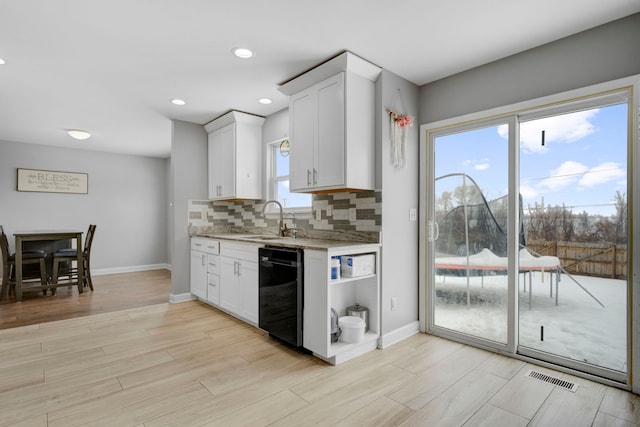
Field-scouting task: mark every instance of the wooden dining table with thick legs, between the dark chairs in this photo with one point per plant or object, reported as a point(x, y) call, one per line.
point(41, 235)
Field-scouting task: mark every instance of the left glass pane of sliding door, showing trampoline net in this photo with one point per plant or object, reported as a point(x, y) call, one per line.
point(468, 234)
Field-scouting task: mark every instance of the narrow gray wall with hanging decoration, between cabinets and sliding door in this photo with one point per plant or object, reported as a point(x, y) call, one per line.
point(400, 193)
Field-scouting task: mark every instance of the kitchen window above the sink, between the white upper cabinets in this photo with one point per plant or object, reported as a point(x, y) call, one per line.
point(278, 178)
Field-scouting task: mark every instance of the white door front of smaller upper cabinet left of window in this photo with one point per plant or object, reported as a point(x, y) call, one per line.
point(222, 163)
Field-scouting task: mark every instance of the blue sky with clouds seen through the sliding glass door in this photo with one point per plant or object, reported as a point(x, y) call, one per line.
point(582, 163)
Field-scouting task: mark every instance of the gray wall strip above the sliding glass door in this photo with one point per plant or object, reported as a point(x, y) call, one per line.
point(601, 54)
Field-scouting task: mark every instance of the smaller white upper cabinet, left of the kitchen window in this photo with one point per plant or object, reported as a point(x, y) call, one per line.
point(235, 156)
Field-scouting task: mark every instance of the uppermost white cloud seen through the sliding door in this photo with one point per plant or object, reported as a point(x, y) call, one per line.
point(565, 128)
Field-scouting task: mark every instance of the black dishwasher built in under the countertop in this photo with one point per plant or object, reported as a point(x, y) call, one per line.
point(281, 293)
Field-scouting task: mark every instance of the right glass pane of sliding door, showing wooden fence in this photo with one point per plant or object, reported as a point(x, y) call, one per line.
point(573, 273)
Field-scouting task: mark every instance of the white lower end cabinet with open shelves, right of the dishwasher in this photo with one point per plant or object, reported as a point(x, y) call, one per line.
point(321, 294)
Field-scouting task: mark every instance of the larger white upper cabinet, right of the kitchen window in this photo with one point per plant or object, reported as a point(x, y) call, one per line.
point(331, 110)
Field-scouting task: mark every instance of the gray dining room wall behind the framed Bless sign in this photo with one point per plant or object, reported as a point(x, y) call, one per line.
point(126, 199)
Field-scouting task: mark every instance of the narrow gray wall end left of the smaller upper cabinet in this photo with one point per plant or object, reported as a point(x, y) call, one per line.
point(188, 181)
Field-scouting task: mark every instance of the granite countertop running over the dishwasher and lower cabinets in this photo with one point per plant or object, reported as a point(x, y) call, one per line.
point(289, 242)
